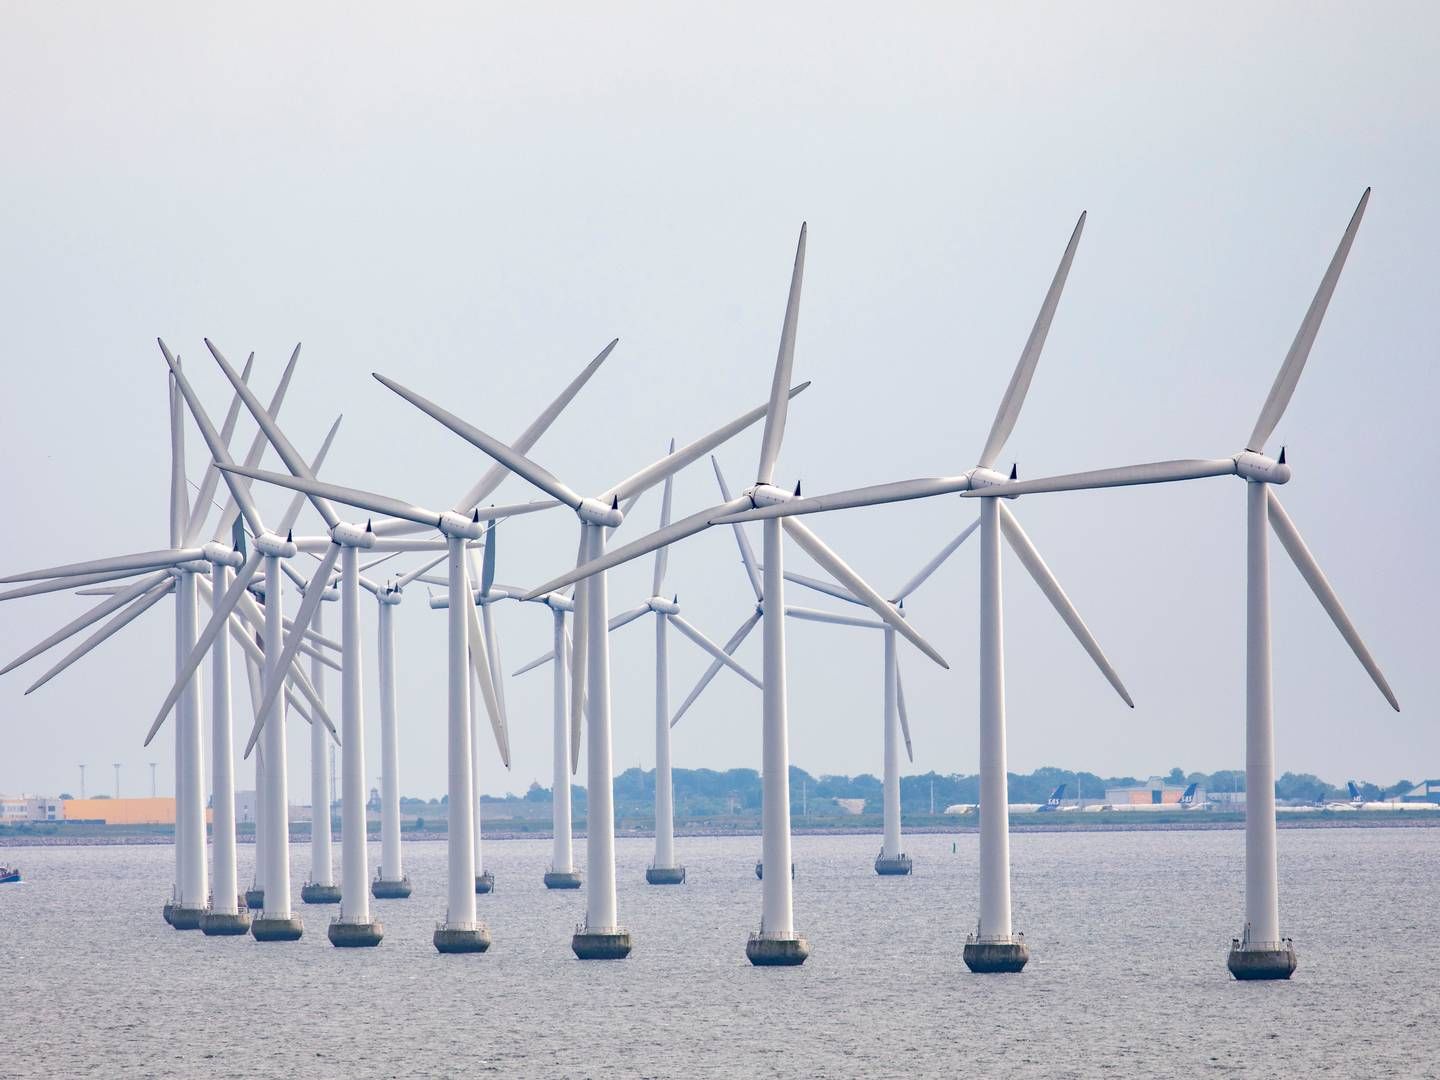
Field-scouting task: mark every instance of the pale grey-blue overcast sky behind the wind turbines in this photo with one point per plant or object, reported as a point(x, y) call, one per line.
point(474, 199)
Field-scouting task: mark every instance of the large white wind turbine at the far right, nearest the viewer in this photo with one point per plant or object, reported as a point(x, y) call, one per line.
point(1261, 953)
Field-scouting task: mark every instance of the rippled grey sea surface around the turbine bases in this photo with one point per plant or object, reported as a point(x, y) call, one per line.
point(1128, 935)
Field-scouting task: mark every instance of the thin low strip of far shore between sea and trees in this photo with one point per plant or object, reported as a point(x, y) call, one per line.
point(1197, 822)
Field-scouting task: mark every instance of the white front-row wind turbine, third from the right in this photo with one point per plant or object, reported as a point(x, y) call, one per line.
point(777, 944)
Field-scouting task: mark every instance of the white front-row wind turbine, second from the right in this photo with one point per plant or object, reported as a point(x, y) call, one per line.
point(994, 947)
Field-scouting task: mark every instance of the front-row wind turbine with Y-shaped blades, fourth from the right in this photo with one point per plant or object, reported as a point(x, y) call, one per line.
point(600, 937)
